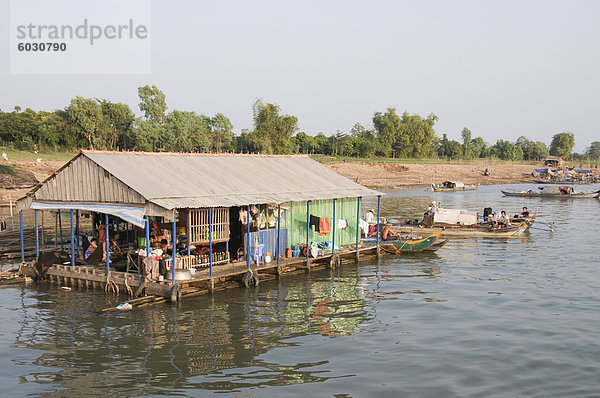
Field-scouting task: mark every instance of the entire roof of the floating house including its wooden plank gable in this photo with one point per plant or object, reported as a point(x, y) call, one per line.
point(161, 182)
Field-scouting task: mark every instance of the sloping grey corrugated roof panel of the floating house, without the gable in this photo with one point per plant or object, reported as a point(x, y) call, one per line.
point(182, 180)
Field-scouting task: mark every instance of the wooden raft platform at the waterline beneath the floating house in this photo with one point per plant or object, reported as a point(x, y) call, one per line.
point(224, 277)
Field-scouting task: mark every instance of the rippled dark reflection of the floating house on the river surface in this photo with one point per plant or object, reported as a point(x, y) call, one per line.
point(167, 346)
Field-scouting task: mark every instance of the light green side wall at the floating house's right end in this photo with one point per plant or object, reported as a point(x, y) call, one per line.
point(345, 209)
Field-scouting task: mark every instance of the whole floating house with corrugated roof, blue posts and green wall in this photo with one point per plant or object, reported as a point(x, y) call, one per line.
point(222, 214)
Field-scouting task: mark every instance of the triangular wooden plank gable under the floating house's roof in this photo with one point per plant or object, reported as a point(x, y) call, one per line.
point(85, 181)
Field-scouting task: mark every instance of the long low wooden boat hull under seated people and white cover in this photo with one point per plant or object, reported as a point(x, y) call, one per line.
point(481, 229)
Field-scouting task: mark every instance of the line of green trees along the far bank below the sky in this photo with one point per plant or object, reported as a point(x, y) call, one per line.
point(101, 124)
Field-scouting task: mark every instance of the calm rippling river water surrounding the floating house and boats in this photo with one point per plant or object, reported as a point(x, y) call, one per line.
point(482, 317)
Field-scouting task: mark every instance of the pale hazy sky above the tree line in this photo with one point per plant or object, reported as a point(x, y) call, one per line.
point(503, 69)
